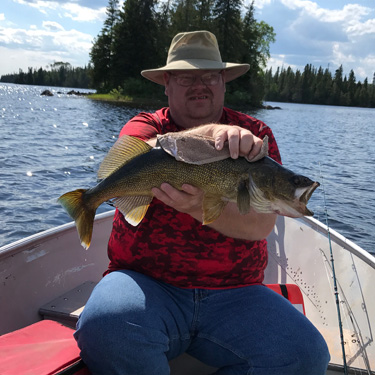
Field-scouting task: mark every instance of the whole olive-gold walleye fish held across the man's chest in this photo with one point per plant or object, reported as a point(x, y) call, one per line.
point(132, 168)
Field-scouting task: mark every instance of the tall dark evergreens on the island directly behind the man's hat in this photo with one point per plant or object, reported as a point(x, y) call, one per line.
point(137, 37)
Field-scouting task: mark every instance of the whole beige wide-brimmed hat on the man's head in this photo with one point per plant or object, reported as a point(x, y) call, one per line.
point(195, 50)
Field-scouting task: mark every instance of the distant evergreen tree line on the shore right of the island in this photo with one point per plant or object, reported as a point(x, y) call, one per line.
point(318, 86)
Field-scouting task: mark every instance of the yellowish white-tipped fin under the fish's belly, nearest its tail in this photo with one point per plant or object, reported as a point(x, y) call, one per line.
point(133, 208)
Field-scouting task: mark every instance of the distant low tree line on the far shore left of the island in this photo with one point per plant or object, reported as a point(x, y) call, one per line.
point(60, 74)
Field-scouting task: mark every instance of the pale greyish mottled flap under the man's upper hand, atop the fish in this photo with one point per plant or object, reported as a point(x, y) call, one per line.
point(199, 149)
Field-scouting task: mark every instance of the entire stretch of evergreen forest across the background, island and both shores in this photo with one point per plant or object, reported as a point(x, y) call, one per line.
point(137, 36)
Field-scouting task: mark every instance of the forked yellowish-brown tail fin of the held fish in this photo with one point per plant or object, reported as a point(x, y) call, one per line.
point(81, 212)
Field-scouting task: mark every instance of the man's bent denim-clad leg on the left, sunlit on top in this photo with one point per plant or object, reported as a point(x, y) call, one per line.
point(117, 334)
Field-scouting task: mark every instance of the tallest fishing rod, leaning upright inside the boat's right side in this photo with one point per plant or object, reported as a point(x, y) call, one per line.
point(334, 277)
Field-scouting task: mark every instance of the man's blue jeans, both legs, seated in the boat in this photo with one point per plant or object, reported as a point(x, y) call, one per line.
point(133, 325)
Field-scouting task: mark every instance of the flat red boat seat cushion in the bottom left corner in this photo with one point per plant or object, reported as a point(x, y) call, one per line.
point(43, 348)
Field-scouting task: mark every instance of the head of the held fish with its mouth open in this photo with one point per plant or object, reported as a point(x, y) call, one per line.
point(282, 191)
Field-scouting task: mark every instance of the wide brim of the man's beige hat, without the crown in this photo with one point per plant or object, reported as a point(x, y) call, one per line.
point(232, 70)
